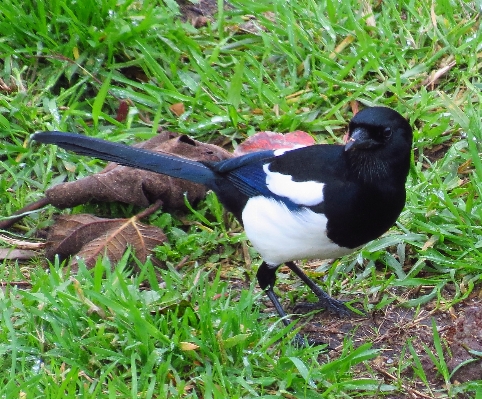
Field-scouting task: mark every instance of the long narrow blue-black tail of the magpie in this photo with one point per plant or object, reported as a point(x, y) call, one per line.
point(170, 165)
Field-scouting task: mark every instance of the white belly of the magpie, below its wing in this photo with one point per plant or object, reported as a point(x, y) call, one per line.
point(280, 235)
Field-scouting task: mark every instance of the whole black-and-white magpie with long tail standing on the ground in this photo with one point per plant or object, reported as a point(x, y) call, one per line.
point(322, 201)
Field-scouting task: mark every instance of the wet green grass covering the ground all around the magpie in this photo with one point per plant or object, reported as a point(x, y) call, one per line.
point(67, 66)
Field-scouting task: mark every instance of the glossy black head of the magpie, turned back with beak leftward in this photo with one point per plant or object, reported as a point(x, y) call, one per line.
point(379, 142)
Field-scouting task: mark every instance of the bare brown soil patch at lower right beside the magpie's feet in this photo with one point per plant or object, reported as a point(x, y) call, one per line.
point(395, 328)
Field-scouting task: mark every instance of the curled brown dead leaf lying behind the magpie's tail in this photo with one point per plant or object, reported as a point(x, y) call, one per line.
point(139, 187)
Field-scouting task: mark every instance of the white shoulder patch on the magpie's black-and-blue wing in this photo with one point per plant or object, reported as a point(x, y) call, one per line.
point(306, 193)
